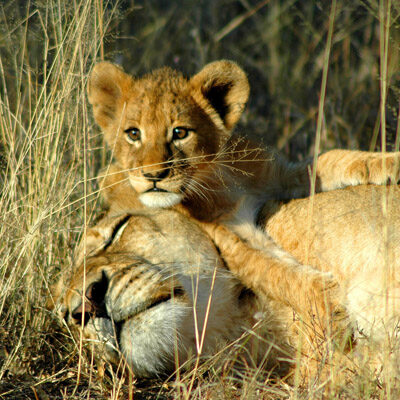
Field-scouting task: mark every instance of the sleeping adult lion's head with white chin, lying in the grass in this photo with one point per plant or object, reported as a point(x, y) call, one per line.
point(154, 291)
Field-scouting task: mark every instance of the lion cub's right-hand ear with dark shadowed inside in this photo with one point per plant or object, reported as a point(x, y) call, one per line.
point(225, 87)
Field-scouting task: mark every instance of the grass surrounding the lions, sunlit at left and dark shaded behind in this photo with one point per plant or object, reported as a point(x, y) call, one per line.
point(50, 150)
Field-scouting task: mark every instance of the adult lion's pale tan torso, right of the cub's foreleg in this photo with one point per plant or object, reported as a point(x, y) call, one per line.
point(356, 237)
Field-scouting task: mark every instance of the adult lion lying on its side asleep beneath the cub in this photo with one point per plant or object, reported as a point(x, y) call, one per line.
point(150, 278)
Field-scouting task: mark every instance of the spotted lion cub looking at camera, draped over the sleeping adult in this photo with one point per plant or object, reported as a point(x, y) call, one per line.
point(174, 147)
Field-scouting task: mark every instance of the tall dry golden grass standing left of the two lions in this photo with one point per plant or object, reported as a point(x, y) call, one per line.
point(46, 53)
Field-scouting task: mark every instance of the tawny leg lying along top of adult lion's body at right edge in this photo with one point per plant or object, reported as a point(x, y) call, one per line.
point(340, 168)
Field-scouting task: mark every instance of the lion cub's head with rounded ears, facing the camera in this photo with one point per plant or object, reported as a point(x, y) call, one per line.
point(166, 129)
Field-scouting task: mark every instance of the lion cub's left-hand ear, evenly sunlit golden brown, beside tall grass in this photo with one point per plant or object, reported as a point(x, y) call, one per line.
point(106, 88)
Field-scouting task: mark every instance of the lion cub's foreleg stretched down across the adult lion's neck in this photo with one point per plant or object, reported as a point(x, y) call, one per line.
point(273, 273)
